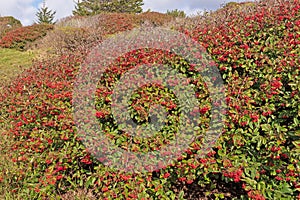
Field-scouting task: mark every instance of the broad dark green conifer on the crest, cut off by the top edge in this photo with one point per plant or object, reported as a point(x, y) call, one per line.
point(94, 7)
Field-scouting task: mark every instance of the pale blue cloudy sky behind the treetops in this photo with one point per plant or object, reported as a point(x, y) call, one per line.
point(25, 10)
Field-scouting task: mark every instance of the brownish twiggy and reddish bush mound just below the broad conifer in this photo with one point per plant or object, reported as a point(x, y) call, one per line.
point(79, 32)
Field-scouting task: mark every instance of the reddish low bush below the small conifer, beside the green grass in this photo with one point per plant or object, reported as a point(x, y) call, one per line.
point(18, 38)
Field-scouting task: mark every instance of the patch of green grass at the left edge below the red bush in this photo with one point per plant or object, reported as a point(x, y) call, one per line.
point(13, 62)
